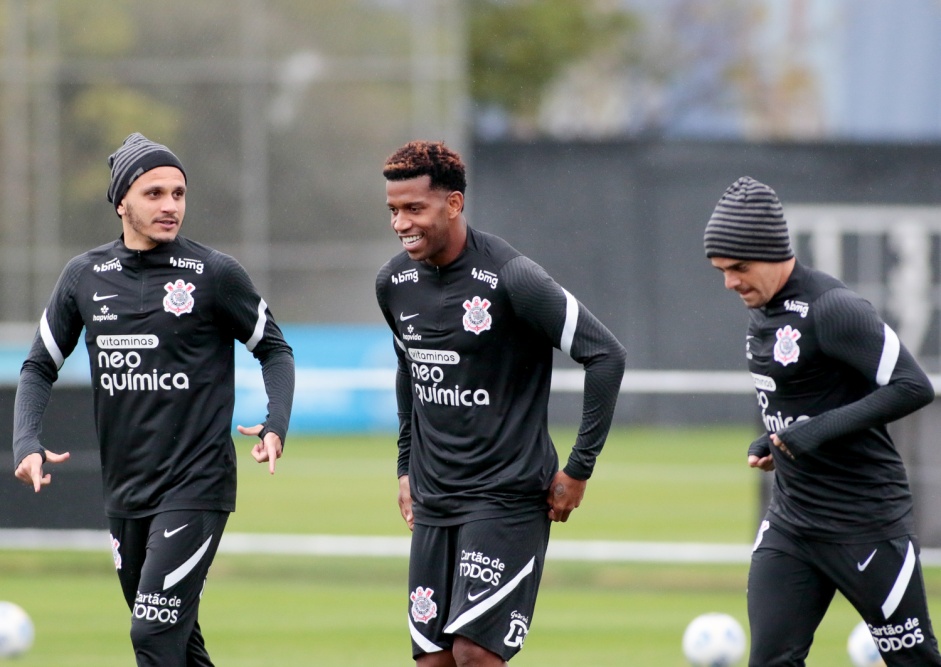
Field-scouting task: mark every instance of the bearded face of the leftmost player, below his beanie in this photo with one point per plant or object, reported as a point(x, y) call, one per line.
point(153, 208)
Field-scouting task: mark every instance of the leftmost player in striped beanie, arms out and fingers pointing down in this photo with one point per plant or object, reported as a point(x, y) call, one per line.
point(161, 315)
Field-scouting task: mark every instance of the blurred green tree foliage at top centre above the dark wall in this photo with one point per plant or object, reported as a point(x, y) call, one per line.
point(517, 47)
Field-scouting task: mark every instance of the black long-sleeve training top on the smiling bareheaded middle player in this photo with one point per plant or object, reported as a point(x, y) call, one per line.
point(474, 341)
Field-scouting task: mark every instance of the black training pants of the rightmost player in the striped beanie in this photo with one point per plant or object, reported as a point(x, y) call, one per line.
point(792, 581)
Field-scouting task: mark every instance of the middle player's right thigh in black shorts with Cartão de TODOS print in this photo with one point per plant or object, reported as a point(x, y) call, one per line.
point(499, 566)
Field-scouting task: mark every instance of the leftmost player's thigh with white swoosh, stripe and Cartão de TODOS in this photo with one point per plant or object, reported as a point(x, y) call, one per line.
point(181, 546)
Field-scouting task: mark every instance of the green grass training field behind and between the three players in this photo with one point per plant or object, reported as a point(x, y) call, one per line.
point(650, 485)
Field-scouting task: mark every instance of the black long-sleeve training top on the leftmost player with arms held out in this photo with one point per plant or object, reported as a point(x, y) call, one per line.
point(160, 327)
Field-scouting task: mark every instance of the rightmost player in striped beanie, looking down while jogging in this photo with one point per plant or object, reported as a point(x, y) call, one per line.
point(829, 374)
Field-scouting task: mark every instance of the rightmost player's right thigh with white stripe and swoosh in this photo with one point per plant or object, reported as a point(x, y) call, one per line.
point(883, 581)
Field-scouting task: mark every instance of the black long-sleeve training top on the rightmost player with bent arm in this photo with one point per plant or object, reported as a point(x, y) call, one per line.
point(830, 374)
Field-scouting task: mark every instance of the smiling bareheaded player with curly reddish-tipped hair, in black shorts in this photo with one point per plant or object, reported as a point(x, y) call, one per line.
point(475, 324)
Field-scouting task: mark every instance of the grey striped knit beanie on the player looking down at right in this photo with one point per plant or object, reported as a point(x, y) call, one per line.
point(748, 224)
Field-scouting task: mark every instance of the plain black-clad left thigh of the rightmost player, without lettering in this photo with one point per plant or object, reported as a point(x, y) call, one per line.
point(787, 598)
